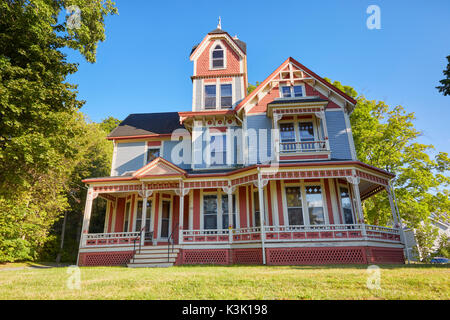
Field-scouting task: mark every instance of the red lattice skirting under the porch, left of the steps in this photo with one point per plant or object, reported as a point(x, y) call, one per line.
point(105, 258)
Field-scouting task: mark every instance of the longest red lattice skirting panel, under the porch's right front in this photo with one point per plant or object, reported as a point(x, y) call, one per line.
point(308, 256)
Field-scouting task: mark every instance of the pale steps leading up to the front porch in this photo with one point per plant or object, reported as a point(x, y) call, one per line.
point(154, 256)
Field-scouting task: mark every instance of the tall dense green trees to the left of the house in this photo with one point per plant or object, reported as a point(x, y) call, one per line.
point(40, 125)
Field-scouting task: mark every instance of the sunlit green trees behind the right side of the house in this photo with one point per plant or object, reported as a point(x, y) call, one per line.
point(386, 138)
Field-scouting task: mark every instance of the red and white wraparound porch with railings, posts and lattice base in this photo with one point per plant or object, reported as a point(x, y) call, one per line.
point(250, 218)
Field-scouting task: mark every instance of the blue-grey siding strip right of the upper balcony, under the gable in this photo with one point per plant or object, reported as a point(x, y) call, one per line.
point(338, 136)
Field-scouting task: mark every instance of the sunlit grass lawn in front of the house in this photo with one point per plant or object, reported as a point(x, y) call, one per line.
point(228, 282)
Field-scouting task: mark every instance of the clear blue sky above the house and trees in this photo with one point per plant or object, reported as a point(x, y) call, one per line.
point(143, 66)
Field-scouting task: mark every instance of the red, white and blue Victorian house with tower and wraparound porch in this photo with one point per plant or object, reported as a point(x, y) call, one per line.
point(269, 177)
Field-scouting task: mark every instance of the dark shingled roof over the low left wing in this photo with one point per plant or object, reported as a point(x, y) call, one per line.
point(139, 124)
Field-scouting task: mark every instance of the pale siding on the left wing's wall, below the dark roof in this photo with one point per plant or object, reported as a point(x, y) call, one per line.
point(129, 157)
